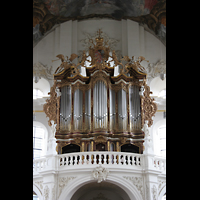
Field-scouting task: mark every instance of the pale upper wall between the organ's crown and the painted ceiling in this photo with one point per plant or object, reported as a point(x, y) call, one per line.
point(65, 39)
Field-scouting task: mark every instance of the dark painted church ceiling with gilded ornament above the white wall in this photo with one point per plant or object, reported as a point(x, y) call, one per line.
point(47, 13)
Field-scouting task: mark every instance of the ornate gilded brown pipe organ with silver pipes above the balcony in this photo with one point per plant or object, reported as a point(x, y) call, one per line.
point(100, 111)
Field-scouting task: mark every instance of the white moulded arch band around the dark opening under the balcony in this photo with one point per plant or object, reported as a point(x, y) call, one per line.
point(77, 183)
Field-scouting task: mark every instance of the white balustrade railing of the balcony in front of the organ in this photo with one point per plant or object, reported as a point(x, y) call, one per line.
point(94, 158)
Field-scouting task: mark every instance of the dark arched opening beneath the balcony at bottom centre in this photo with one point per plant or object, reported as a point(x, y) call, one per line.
point(97, 191)
